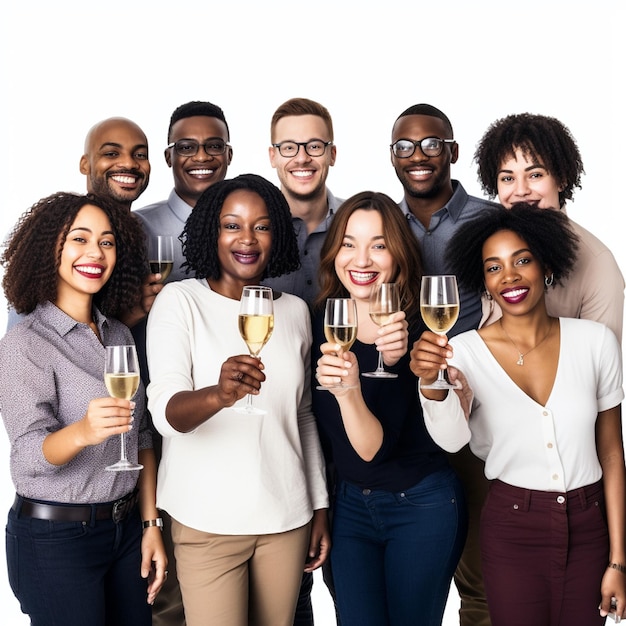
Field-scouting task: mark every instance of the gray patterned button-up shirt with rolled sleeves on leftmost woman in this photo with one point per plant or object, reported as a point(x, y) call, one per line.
point(51, 366)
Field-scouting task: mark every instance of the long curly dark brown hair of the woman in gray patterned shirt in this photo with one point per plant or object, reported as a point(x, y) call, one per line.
point(37, 235)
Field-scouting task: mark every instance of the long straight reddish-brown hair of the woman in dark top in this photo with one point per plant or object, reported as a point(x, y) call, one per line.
point(399, 239)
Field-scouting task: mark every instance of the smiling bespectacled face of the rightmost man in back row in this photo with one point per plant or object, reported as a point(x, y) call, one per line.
point(420, 175)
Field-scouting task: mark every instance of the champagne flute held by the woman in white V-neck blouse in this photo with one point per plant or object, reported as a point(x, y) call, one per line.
point(439, 304)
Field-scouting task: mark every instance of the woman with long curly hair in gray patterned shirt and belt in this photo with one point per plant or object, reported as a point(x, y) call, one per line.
point(76, 550)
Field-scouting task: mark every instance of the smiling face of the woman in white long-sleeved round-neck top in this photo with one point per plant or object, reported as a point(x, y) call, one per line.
point(244, 243)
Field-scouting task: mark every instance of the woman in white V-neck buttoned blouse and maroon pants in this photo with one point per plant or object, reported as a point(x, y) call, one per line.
point(545, 417)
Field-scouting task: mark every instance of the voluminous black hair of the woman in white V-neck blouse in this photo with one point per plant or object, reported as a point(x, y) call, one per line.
point(547, 233)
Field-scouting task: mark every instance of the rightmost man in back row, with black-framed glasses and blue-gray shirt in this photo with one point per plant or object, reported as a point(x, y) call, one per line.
point(422, 152)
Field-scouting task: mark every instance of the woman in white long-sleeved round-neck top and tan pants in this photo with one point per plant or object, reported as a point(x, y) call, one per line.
point(246, 493)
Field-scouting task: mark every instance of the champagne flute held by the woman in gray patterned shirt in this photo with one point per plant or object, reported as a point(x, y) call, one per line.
point(121, 377)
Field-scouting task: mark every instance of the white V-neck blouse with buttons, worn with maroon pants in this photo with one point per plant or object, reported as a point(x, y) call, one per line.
point(547, 448)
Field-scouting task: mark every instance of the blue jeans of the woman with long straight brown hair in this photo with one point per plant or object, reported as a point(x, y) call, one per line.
point(394, 554)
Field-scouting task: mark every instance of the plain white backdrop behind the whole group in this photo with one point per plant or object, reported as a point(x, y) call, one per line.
point(66, 65)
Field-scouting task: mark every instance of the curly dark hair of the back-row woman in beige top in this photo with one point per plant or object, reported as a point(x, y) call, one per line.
point(542, 138)
